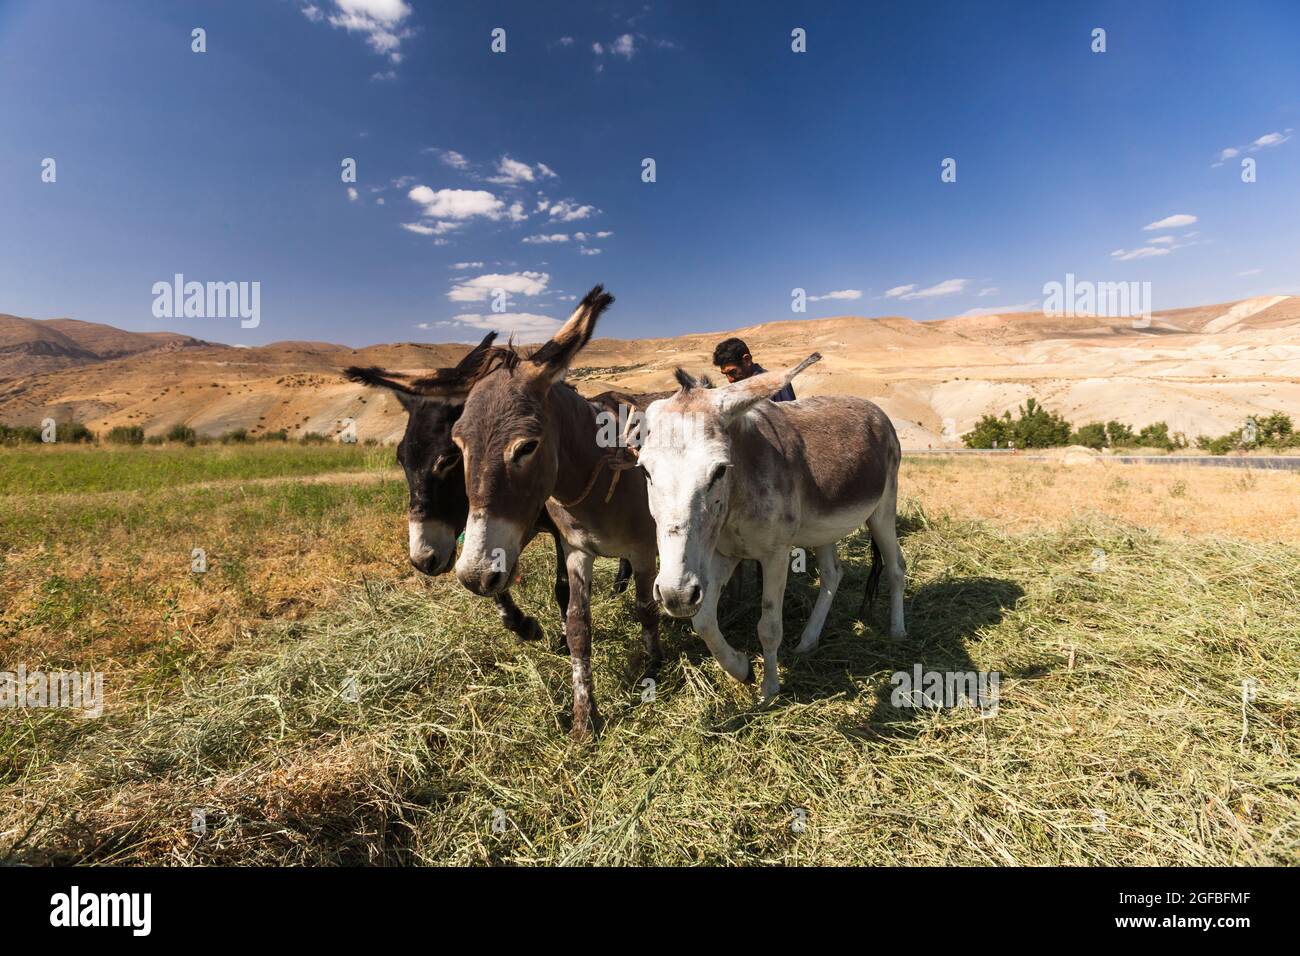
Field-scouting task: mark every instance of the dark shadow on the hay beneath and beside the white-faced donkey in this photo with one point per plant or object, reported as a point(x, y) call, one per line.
point(943, 617)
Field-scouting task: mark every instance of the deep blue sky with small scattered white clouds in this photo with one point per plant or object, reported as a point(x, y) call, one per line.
point(774, 170)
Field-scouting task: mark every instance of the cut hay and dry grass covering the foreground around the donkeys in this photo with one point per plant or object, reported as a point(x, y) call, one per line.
point(385, 719)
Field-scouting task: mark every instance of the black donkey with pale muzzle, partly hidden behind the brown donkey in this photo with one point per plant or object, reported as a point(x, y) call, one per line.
point(437, 485)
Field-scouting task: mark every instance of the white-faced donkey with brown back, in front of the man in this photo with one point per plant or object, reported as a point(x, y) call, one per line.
point(734, 475)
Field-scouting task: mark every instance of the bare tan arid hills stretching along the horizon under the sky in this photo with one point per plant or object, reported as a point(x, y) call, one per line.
point(1202, 370)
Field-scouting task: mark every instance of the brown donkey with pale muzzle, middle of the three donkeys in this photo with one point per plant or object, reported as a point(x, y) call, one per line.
point(532, 447)
